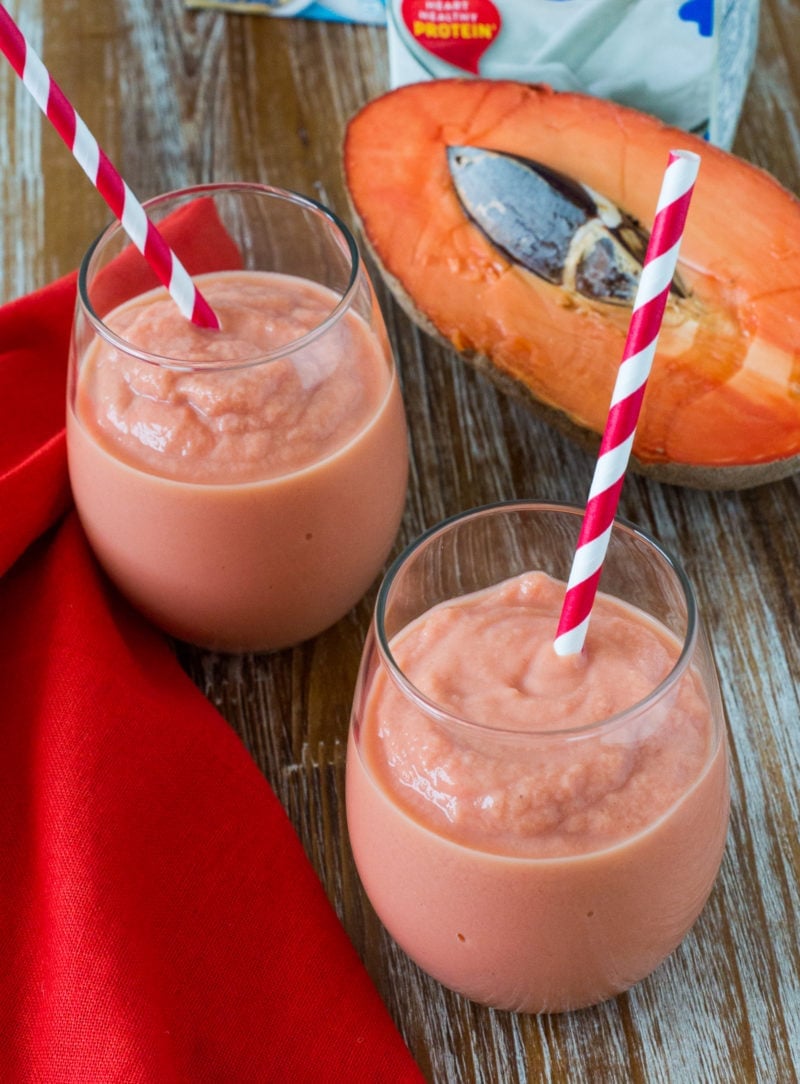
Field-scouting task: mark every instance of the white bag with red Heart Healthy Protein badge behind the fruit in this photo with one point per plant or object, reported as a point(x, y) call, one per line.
point(685, 61)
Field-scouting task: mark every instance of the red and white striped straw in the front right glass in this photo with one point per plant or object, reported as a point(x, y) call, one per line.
point(615, 449)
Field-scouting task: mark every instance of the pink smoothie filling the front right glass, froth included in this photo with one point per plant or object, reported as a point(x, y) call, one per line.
point(554, 864)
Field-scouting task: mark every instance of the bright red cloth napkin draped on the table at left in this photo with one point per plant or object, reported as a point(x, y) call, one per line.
point(160, 921)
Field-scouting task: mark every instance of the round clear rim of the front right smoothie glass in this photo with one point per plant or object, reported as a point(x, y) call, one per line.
point(431, 708)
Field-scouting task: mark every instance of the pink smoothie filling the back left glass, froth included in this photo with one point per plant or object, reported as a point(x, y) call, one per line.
point(248, 507)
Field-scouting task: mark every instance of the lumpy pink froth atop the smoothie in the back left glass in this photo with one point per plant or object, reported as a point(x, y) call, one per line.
point(215, 424)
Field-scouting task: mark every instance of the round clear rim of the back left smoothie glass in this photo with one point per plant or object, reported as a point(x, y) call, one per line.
point(163, 362)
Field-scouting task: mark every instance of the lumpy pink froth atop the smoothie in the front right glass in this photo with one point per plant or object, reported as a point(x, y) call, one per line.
point(489, 660)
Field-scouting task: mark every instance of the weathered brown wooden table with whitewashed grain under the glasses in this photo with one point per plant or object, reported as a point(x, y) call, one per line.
point(178, 98)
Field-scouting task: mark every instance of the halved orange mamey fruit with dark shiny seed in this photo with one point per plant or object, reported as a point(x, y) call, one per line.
point(722, 406)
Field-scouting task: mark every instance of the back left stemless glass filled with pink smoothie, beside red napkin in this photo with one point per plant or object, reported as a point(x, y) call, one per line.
point(241, 487)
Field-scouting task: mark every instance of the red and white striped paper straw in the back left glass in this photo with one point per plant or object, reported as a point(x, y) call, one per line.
point(54, 104)
